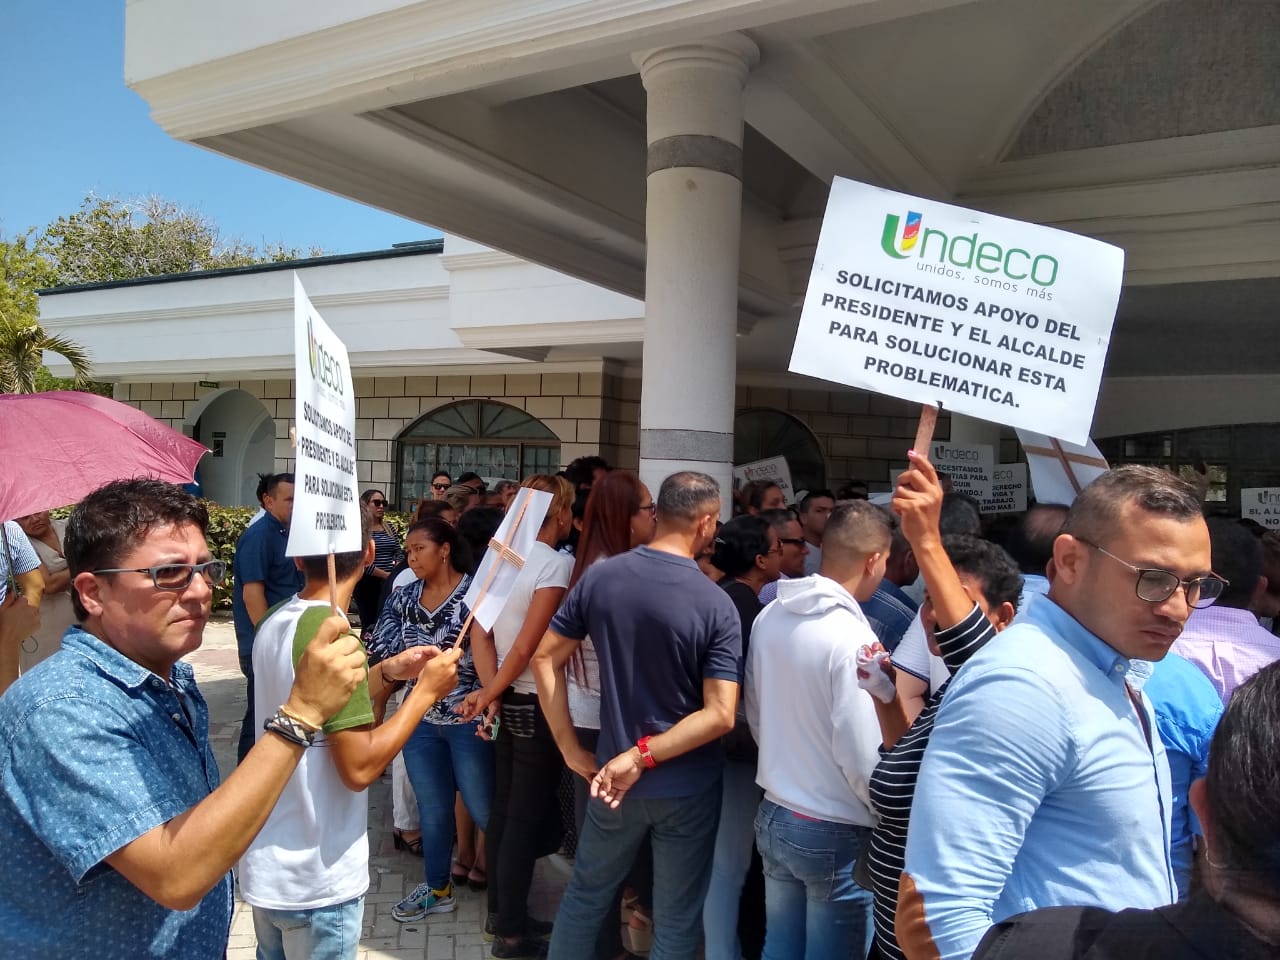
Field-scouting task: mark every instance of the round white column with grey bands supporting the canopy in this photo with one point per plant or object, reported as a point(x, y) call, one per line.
point(693, 232)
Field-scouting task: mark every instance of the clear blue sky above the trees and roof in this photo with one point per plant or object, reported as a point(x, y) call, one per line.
point(72, 127)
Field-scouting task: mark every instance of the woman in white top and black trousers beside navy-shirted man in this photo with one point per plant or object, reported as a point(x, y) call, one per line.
point(524, 824)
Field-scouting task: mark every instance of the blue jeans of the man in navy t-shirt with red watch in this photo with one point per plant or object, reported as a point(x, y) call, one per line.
point(683, 833)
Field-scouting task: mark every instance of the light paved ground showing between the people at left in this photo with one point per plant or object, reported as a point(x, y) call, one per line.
point(455, 936)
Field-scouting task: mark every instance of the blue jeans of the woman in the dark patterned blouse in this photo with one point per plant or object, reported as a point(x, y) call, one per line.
point(444, 758)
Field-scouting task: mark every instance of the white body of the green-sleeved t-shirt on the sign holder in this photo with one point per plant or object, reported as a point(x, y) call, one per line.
point(314, 849)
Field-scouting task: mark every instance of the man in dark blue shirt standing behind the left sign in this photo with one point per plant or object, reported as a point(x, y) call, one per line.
point(263, 578)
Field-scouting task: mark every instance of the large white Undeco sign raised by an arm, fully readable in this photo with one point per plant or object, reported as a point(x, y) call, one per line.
point(988, 317)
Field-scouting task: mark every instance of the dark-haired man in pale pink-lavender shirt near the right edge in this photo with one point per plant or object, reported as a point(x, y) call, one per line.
point(1227, 642)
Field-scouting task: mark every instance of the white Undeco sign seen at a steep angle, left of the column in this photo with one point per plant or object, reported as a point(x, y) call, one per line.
point(326, 504)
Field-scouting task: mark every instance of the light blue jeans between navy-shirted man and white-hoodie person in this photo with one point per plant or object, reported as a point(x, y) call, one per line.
point(734, 844)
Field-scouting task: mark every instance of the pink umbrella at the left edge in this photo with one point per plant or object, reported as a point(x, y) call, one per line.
point(58, 447)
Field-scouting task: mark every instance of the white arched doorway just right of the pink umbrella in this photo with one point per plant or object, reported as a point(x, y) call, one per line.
point(241, 438)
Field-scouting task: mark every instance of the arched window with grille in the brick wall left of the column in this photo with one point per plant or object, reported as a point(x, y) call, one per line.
point(492, 440)
